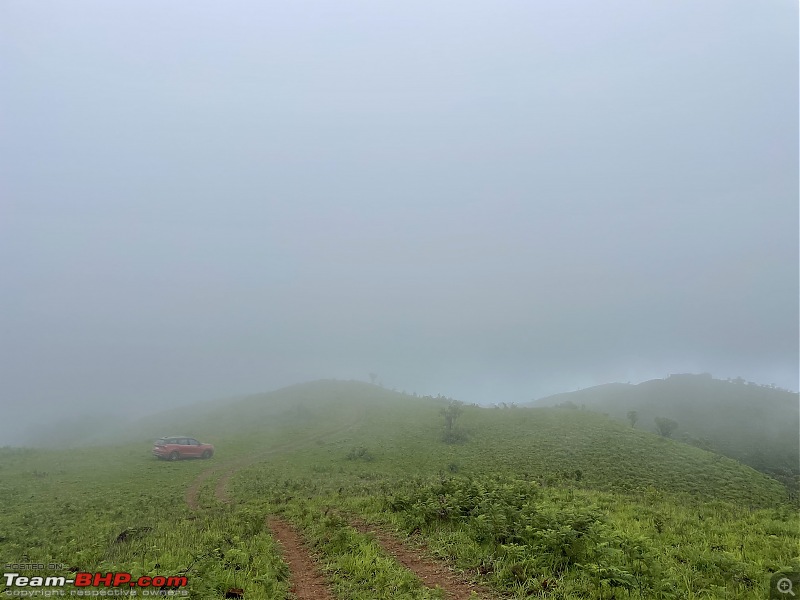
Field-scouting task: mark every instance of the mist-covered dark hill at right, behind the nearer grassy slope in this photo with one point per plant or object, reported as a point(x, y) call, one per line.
point(754, 424)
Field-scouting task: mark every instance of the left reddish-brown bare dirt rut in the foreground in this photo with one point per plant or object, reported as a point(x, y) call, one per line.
point(305, 579)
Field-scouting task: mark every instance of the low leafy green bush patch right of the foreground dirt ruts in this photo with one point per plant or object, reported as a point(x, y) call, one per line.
point(527, 535)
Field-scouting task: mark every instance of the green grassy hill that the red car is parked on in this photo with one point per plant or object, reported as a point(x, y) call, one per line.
point(534, 502)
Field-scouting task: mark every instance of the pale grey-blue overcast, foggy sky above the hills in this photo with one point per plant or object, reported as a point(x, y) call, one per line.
point(494, 201)
